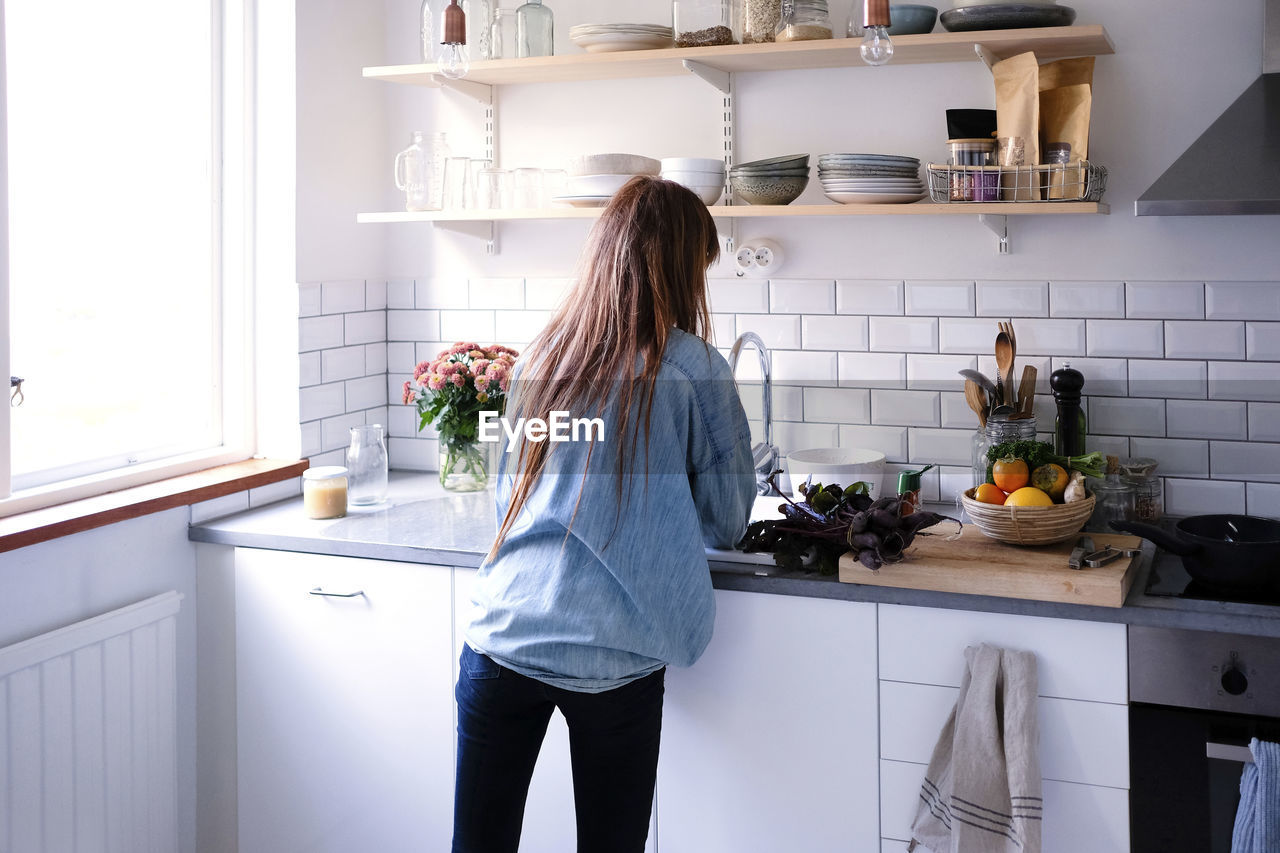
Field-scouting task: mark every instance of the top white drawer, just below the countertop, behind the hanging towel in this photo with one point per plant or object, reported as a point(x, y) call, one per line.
point(1077, 660)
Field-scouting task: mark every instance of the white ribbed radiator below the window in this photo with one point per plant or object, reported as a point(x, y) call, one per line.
point(89, 736)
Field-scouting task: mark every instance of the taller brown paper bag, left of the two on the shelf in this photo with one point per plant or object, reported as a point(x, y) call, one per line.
point(1018, 120)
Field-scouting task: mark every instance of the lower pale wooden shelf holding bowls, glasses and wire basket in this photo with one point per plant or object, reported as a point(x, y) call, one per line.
point(755, 212)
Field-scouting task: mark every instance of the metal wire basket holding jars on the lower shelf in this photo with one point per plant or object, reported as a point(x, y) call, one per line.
point(1078, 181)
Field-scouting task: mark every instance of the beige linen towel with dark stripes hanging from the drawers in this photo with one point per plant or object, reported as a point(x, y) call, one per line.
point(982, 788)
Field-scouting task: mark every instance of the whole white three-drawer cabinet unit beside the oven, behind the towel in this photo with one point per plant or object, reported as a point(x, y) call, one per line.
point(1084, 719)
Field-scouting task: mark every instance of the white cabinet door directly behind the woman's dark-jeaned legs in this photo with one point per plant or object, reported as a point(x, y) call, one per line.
point(550, 823)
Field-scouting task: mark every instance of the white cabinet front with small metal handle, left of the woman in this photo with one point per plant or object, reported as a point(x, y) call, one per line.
point(345, 708)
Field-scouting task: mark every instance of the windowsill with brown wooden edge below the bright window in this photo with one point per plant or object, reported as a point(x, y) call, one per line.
point(76, 517)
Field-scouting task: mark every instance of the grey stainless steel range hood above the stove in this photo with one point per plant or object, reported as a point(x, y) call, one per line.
point(1235, 167)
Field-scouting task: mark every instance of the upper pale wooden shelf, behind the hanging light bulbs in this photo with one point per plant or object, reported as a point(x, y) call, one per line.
point(1049, 44)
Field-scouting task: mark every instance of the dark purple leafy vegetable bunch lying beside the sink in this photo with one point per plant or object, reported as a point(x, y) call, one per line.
point(834, 521)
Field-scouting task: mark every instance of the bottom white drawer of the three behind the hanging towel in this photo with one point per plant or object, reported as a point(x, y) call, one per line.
point(1077, 818)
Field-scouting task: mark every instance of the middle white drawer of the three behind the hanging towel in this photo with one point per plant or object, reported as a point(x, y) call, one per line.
point(1081, 742)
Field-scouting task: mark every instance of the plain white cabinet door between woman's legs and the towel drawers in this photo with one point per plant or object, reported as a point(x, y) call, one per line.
point(770, 741)
